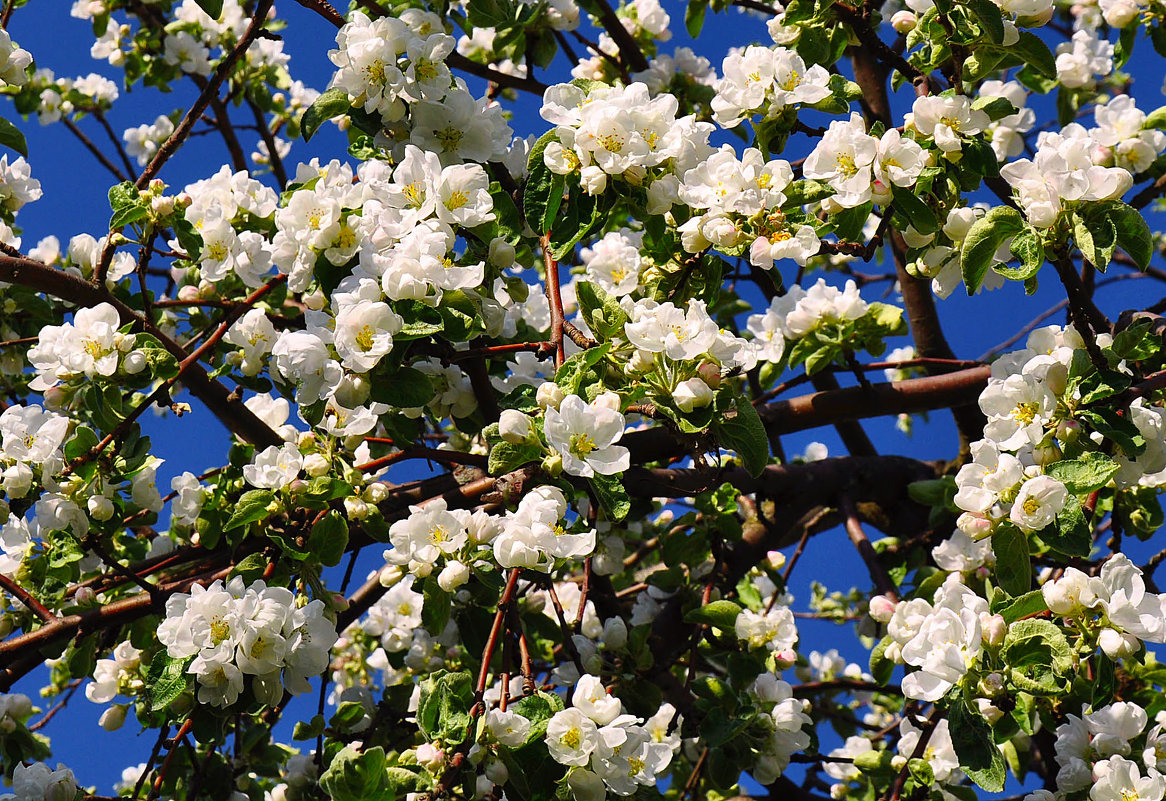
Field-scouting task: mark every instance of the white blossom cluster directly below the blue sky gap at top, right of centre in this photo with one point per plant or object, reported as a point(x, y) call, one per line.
point(767, 80)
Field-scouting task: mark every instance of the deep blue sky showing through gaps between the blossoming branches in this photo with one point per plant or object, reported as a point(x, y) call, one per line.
point(75, 202)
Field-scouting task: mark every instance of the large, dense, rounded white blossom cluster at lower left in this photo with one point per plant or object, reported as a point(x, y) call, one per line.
point(236, 631)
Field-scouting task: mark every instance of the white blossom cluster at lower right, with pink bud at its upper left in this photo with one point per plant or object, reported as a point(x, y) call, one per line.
point(944, 640)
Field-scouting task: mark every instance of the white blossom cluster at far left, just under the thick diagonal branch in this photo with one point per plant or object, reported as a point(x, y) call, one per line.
point(90, 348)
